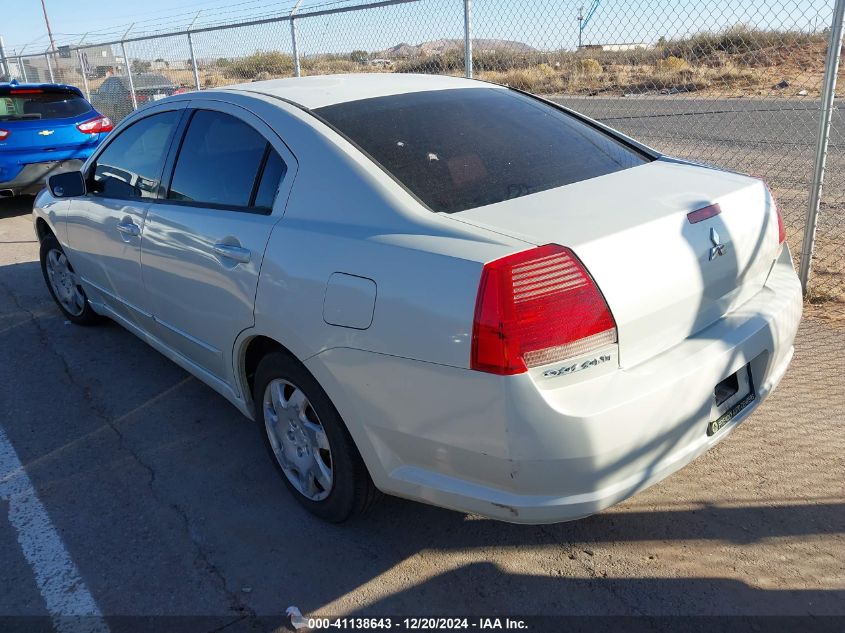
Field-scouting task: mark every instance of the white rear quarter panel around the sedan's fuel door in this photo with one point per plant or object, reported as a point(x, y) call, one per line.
point(344, 214)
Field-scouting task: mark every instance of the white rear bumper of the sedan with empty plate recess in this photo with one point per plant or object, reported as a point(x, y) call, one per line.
point(506, 448)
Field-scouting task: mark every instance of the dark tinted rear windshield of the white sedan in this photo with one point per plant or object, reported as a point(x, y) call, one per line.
point(464, 148)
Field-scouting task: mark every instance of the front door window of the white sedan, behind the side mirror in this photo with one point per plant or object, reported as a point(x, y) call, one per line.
point(131, 164)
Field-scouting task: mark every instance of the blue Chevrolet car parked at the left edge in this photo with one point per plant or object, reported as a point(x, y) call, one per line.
point(44, 129)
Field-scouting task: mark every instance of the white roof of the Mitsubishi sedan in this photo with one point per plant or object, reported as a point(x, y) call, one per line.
point(323, 90)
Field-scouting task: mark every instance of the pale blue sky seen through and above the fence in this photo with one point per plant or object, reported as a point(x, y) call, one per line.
point(544, 24)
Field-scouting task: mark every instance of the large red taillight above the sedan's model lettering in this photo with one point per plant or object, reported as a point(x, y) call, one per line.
point(534, 308)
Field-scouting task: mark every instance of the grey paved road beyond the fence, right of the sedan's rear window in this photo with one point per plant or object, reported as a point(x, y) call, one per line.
point(773, 139)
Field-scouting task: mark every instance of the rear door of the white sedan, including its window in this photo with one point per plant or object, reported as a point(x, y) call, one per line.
point(204, 242)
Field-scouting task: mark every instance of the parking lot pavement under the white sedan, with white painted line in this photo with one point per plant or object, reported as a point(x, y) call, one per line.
point(142, 490)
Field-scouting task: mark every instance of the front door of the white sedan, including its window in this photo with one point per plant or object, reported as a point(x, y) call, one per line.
point(105, 227)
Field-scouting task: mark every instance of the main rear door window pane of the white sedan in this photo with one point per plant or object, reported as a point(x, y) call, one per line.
point(218, 162)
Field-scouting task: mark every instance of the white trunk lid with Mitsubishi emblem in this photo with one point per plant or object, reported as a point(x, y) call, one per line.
point(664, 277)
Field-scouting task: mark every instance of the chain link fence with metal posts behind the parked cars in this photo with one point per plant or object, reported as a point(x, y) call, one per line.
point(736, 84)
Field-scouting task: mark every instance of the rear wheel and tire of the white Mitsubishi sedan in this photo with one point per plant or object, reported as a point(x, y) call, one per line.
point(292, 423)
